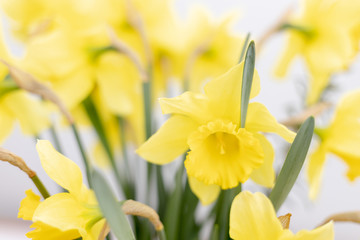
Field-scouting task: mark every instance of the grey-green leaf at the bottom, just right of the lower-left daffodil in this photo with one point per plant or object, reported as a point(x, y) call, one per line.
point(110, 208)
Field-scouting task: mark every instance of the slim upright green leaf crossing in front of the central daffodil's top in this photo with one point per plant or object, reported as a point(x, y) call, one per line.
point(248, 74)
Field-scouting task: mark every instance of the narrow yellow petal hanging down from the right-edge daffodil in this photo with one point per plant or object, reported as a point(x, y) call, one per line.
point(315, 171)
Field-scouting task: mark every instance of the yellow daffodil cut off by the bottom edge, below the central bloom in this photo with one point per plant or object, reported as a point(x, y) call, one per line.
point(252, 216)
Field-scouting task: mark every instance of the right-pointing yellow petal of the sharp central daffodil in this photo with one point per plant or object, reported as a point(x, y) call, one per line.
point(259, 119)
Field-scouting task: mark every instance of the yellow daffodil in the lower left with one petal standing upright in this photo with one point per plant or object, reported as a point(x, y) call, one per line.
point(67, 215)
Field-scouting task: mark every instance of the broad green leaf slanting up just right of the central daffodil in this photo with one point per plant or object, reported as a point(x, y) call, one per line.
point(293, 163)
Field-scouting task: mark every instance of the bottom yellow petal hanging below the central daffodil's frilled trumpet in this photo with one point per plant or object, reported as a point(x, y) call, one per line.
point(206, 193)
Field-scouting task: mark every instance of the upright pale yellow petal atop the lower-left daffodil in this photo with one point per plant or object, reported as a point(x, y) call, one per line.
point(61, 169)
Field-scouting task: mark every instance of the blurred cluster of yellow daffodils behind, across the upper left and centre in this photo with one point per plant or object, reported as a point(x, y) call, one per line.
point(68, 45)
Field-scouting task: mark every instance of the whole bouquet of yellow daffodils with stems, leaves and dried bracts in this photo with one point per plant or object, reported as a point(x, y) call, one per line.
point(110, 66)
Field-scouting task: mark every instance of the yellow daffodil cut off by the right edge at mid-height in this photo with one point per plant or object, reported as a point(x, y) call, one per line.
point(340, 138)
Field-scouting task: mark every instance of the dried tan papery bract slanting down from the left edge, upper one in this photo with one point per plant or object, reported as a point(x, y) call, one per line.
point(27, 82)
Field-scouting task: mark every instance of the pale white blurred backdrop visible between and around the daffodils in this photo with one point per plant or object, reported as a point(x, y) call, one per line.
point(282, 98)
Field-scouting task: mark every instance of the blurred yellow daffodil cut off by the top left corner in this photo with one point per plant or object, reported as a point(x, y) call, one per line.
point(33, 18)
